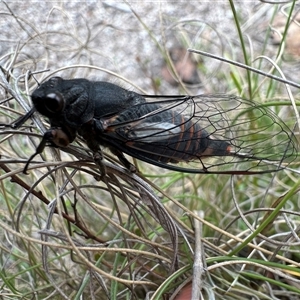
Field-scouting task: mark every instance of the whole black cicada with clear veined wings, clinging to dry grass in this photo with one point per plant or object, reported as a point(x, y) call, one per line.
point(218, 134)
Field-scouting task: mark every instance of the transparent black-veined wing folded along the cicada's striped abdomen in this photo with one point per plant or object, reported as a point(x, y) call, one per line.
point(203, 134)
